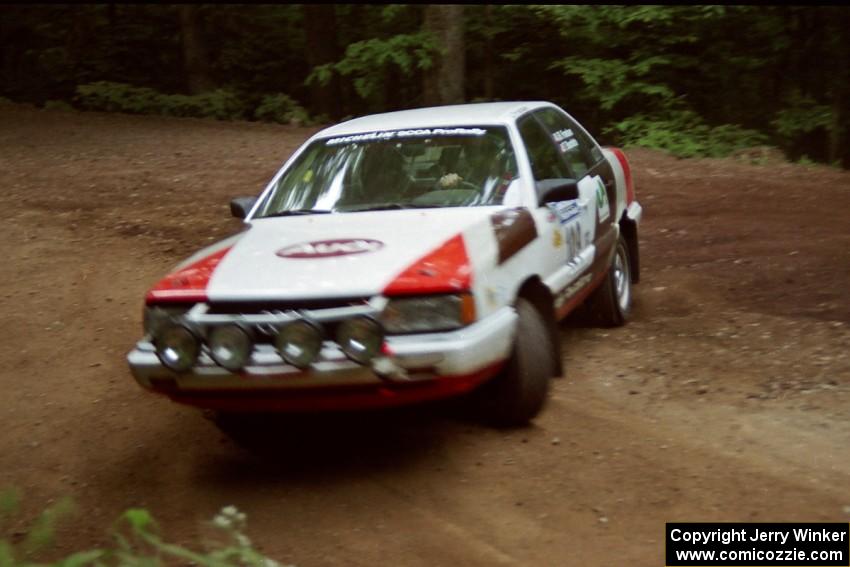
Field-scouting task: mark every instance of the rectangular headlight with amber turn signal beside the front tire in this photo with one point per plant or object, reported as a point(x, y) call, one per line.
point(427, 314)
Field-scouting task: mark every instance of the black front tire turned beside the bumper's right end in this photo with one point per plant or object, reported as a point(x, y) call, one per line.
point(518, 393)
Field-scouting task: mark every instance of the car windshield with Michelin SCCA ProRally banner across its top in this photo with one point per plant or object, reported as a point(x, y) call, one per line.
point(431, 167)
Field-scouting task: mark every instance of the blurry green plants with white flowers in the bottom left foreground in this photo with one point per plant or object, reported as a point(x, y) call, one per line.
point(137, 542)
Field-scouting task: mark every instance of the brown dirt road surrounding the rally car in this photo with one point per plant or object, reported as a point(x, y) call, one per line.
point(725, 399)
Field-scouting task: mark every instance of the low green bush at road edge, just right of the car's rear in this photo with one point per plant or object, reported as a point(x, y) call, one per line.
point(684, 134)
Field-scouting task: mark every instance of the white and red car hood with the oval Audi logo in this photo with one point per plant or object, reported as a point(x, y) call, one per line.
point(332, 255)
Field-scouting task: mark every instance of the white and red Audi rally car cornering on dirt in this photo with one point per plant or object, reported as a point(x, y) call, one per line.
point(399, 258)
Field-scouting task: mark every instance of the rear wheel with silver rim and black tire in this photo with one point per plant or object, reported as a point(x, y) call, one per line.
point(611, 303)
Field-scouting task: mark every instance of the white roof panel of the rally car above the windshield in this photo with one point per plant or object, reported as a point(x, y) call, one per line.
point(478, 114)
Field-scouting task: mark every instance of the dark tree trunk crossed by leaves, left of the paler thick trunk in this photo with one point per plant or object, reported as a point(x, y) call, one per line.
point(320, 31)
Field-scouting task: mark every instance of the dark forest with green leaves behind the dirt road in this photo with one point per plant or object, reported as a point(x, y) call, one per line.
point(692, 80)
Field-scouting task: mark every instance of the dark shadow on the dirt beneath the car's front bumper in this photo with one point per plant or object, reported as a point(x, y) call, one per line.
point(338, 446)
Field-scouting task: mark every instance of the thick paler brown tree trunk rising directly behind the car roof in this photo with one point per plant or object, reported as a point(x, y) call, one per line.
point(444, 81)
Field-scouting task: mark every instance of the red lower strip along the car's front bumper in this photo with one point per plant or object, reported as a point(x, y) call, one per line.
point(337, 398)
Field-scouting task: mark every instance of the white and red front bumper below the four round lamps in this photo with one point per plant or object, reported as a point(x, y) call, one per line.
point(412, 368)
